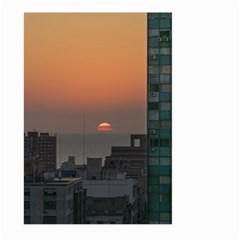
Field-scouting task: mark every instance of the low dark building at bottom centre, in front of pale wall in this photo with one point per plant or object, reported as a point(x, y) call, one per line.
point(108, 210)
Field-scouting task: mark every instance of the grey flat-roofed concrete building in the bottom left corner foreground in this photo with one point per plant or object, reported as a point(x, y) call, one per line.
point(55, 201)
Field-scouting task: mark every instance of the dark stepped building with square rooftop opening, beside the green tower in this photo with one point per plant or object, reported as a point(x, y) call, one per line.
point(131, 161)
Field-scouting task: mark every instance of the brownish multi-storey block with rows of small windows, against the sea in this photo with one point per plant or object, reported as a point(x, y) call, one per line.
point(39, 154)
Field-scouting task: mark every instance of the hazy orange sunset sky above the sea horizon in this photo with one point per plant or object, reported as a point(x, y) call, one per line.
point(92, 62)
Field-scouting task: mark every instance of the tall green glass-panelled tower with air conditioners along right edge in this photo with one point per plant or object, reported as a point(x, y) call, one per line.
point(159, 118)
